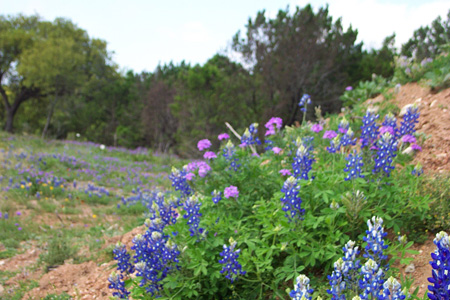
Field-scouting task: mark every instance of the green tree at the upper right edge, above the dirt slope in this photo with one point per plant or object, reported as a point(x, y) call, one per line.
point(426, 41)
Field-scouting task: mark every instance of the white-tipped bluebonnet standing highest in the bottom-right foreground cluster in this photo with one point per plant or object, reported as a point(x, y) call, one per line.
point(375, 240)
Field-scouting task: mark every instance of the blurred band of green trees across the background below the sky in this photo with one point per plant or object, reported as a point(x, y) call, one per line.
point(57, 81)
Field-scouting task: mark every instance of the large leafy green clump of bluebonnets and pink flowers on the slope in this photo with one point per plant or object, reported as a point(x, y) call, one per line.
point(247, 220)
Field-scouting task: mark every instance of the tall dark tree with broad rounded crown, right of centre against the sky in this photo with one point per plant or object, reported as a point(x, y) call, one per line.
point(300, 53)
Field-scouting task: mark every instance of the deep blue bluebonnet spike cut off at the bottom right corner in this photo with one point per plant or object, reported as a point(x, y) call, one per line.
point(440, 280)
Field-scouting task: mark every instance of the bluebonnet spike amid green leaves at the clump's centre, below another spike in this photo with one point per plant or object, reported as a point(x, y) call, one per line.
point(291, 200)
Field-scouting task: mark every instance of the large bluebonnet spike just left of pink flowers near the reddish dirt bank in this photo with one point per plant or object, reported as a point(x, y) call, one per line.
point(387, 146)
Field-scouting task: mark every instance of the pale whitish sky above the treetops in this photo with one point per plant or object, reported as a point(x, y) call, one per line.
point(144, 33)
